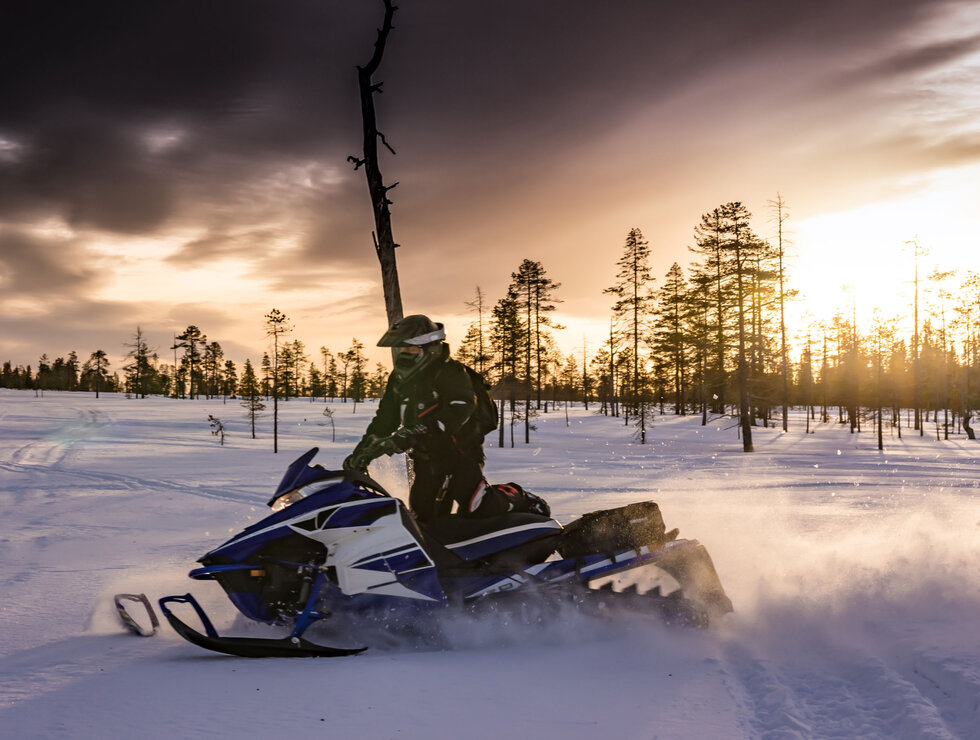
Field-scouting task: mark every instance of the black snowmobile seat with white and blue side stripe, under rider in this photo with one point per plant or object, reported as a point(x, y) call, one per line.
point(515, 536)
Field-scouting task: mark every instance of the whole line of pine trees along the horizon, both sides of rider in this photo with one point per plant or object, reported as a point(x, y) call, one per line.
point(710, 339)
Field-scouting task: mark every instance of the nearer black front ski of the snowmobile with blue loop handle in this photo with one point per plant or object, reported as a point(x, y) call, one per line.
point(245, 647)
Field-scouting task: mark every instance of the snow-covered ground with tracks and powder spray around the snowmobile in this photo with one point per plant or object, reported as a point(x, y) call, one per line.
point(855, 576)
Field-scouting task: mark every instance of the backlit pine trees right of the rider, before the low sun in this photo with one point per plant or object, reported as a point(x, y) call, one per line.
point(713, 340)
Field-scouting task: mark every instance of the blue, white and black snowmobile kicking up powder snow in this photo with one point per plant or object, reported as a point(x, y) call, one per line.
point(337, 544)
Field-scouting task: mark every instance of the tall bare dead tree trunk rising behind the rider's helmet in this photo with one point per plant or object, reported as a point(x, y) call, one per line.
point(384, 241)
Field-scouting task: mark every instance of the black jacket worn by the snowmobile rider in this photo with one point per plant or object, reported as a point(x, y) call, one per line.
point(437, 409)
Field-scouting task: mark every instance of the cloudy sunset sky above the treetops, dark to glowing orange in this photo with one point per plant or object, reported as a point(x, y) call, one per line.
point(173, 163)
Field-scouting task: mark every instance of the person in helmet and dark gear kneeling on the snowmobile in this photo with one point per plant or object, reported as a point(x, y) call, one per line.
point(437, 410)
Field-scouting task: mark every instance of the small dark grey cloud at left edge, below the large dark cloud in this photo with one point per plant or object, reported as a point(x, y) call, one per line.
point(42, 268)
